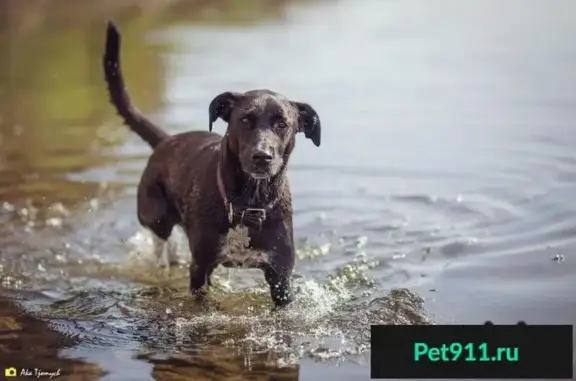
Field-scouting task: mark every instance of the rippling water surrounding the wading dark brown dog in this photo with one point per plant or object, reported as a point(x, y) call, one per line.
point(443, 190)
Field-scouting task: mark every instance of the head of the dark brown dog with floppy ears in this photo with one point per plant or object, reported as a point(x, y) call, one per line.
point(262, 127)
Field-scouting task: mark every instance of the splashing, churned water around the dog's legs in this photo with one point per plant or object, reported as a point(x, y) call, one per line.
point(138, 304)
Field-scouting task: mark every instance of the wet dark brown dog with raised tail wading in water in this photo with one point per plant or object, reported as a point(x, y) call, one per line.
point(221, 189)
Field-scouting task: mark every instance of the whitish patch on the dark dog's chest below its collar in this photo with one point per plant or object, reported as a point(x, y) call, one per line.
point(236, 251)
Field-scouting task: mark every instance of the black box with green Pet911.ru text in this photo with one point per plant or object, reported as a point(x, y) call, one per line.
point(485, 351)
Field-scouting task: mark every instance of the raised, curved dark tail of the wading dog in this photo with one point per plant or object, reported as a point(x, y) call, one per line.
point(119, 97)
